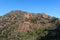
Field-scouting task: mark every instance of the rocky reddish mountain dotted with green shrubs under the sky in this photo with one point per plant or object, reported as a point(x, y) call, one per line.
point(21, 25)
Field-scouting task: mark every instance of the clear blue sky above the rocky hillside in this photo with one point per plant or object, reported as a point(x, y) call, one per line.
point(50, 7)
